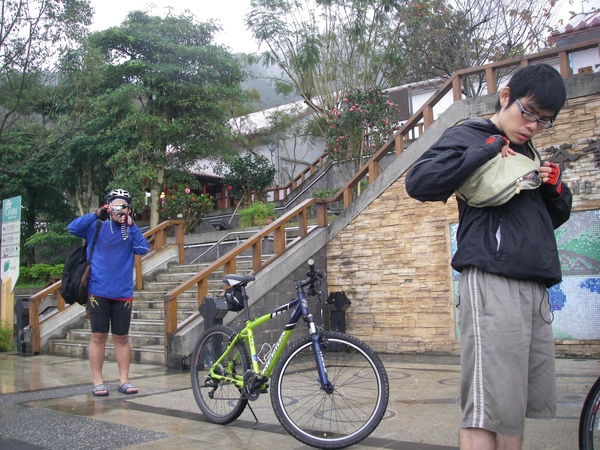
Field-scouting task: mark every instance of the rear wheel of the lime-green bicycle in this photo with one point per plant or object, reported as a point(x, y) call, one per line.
point(220, 401)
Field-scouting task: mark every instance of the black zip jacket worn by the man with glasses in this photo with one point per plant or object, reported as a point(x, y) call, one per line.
point(516, 239)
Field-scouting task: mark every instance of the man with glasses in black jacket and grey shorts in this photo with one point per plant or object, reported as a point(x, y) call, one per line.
point(507, 256)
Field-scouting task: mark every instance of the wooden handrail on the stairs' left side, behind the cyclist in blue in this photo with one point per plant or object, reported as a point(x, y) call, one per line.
point(156, 237)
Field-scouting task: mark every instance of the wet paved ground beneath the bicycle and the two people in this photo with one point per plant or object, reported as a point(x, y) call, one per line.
point(46, 403)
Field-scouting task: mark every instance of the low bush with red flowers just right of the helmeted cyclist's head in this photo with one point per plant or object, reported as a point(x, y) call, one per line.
point(186, 205)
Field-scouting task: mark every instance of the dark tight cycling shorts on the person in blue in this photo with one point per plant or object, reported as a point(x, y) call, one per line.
point(107, 314)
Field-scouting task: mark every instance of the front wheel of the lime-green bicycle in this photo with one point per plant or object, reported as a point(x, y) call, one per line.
point(339, 418)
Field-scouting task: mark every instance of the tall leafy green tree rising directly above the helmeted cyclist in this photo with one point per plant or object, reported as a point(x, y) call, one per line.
point(179, 82)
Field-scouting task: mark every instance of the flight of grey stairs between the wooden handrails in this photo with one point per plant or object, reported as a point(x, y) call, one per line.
point(146, 335)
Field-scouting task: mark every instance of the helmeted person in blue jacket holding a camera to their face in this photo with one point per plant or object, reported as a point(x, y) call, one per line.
point(110, 285)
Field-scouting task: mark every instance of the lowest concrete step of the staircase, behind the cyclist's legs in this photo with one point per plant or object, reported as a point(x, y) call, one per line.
point(147, 355)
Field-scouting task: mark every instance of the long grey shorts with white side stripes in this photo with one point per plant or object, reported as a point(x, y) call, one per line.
point(507, 352)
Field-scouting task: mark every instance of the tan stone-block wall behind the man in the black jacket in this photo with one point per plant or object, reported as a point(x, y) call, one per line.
point(393, 260)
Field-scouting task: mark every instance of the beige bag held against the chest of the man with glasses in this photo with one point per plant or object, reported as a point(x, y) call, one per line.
point(499, 179)
